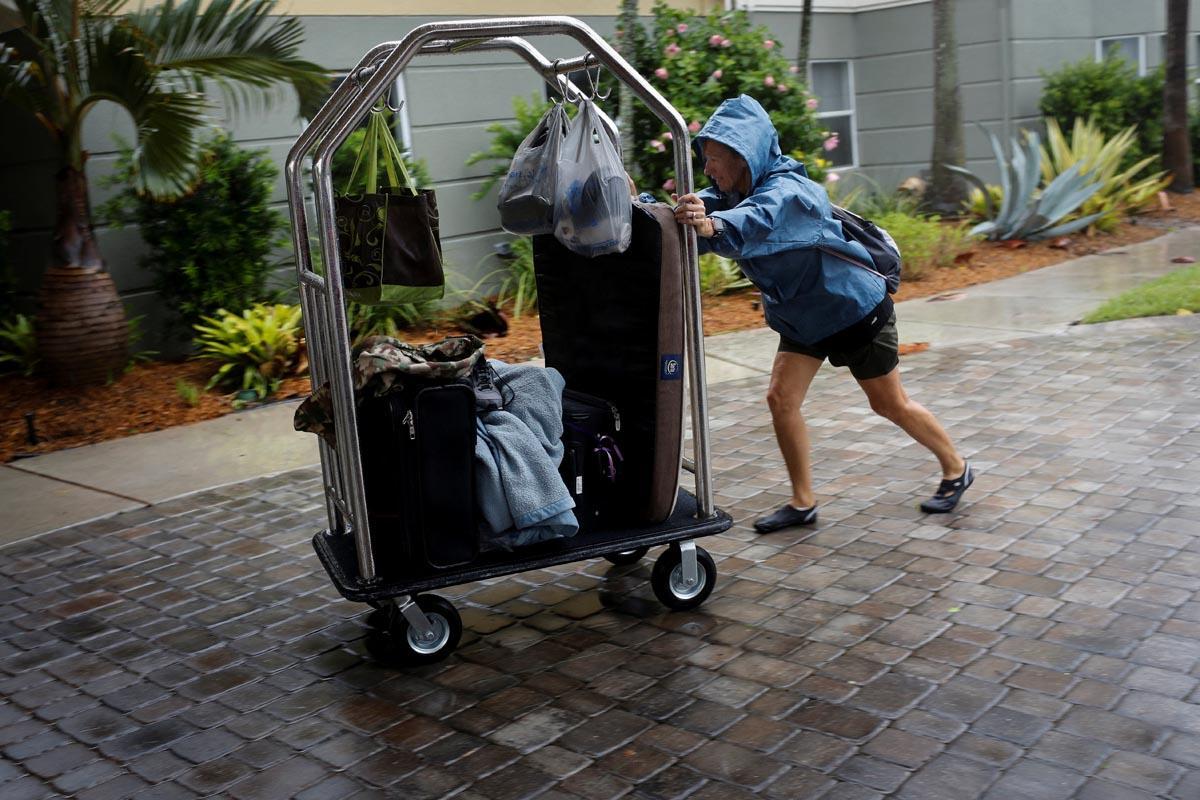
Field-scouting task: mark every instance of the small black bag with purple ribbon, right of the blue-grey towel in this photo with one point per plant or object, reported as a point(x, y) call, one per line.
point(592, 458)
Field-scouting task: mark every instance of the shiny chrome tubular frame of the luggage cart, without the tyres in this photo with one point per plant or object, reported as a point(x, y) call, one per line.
point(346, 548)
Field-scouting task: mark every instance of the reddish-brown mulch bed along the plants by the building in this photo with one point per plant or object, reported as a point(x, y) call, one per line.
point(37, 418)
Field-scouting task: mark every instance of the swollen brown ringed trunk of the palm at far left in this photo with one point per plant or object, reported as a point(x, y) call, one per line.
point(82, 333)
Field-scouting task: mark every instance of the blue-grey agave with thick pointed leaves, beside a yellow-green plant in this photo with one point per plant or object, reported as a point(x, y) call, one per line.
point(1027, 213)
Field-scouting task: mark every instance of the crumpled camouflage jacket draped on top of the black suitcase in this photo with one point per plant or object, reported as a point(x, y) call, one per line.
point(386, 365)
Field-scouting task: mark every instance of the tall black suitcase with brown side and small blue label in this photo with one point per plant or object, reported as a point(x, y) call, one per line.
point(614, 326)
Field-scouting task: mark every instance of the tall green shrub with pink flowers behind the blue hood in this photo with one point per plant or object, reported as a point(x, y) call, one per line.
point(688, 61)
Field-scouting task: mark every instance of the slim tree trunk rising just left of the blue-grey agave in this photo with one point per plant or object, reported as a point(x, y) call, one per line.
point(946, 191)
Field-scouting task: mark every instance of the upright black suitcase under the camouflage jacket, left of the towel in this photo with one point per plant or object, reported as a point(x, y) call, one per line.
point(418, 452)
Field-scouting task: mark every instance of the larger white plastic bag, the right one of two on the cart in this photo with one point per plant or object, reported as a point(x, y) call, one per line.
point(593, 215)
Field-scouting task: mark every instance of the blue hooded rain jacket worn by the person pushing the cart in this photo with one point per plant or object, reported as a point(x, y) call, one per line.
point(775, 233)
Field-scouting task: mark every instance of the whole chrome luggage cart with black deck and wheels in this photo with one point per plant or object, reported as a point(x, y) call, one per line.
point(427, 628)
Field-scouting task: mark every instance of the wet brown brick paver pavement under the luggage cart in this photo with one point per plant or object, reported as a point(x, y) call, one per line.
point(1043, 643)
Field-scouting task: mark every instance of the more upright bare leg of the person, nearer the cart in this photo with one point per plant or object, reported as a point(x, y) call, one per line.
point(790, 380)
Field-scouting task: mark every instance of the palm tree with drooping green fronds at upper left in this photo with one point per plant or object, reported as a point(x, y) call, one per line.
point(155, 63)
